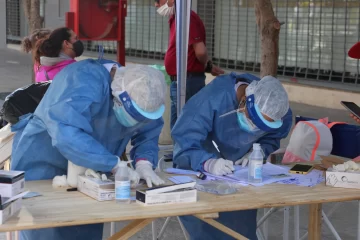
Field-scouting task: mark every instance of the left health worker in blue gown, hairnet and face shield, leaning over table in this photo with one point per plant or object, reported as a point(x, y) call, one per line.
point(90, 112)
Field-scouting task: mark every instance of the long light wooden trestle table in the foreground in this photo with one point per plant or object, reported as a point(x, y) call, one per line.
point(57, 207)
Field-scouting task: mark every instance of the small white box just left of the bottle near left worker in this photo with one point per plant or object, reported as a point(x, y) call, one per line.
point(97, 189)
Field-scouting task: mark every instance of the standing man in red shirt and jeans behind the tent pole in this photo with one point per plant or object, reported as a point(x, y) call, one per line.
point(198, 59)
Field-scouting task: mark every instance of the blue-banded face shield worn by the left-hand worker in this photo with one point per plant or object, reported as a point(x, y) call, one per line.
point(135, 111)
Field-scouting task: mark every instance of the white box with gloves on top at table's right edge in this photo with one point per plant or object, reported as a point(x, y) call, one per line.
point(343, 179)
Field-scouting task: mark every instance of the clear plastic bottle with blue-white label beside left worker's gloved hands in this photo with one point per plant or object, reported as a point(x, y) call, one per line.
point(122, 184)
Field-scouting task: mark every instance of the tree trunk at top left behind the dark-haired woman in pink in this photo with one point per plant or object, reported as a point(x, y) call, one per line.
point(35, 21)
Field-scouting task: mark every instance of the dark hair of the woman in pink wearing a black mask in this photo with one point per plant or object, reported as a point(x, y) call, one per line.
point(51, 46)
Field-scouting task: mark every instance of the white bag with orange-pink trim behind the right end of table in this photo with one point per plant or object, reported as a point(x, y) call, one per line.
point(309, 140)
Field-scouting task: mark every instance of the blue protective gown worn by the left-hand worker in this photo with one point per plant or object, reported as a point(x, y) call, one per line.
point(75, 121)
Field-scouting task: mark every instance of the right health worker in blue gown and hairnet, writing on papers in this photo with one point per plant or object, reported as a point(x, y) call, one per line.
point(234, 111)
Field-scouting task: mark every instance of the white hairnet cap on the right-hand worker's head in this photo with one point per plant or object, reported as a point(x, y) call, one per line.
point(270, 96)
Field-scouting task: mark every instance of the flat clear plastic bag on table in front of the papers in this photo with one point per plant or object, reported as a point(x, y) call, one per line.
point(218, 187)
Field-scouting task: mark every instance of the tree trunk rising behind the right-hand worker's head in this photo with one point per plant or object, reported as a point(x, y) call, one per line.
point(269, 27)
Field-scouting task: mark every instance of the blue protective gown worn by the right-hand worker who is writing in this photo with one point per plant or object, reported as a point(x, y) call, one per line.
point(200, 124)
